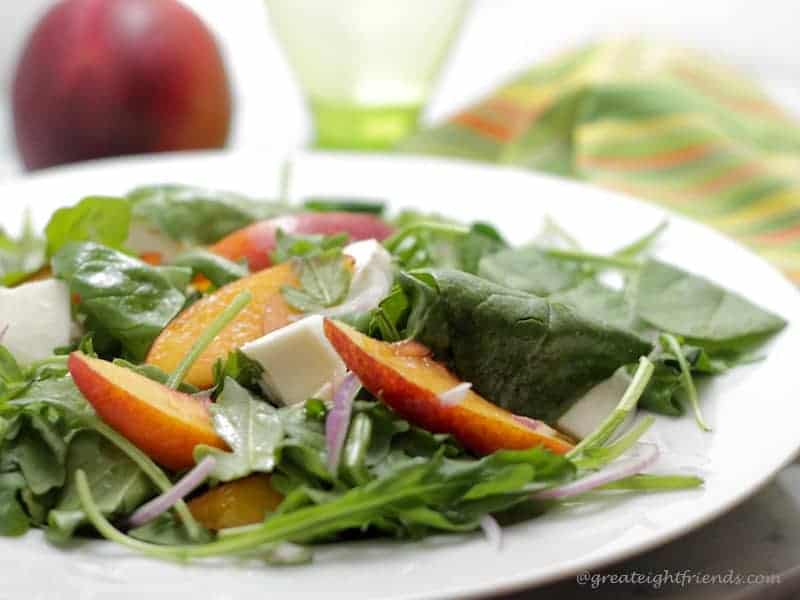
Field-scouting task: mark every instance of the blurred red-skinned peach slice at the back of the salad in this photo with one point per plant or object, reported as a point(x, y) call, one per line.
point(257, 241)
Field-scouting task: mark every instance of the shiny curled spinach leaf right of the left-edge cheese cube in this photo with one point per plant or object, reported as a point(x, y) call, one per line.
point(121, 296)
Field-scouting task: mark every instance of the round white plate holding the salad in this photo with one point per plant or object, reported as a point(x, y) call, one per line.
point(754, 410)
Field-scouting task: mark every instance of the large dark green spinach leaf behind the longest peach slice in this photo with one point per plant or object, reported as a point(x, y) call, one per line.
point(526, 354)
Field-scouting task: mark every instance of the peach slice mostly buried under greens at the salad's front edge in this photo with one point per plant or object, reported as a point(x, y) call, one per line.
point(234, 504)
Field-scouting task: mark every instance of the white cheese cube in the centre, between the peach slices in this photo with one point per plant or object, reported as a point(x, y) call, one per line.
point(298, 360)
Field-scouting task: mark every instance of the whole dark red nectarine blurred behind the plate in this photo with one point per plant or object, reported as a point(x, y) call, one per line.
point(111, 77)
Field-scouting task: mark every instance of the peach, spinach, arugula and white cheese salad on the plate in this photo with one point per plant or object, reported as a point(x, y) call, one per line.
point(192, 373)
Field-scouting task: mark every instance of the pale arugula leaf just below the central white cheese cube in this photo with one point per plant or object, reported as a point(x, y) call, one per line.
point(252, 428)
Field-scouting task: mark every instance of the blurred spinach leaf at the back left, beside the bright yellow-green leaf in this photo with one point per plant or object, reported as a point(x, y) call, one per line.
point(198, 216)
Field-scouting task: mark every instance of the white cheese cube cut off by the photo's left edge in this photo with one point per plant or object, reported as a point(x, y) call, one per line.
point(38, 318)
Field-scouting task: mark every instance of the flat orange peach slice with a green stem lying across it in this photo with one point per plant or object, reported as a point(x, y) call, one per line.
point(177, 338)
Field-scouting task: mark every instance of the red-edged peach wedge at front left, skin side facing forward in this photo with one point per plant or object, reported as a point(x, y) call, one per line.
point(164, 423)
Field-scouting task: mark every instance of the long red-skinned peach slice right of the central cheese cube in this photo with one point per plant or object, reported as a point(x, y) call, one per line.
point(410, 381)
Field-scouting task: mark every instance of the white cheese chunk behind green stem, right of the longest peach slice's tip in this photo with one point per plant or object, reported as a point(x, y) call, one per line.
point(584, 416)
